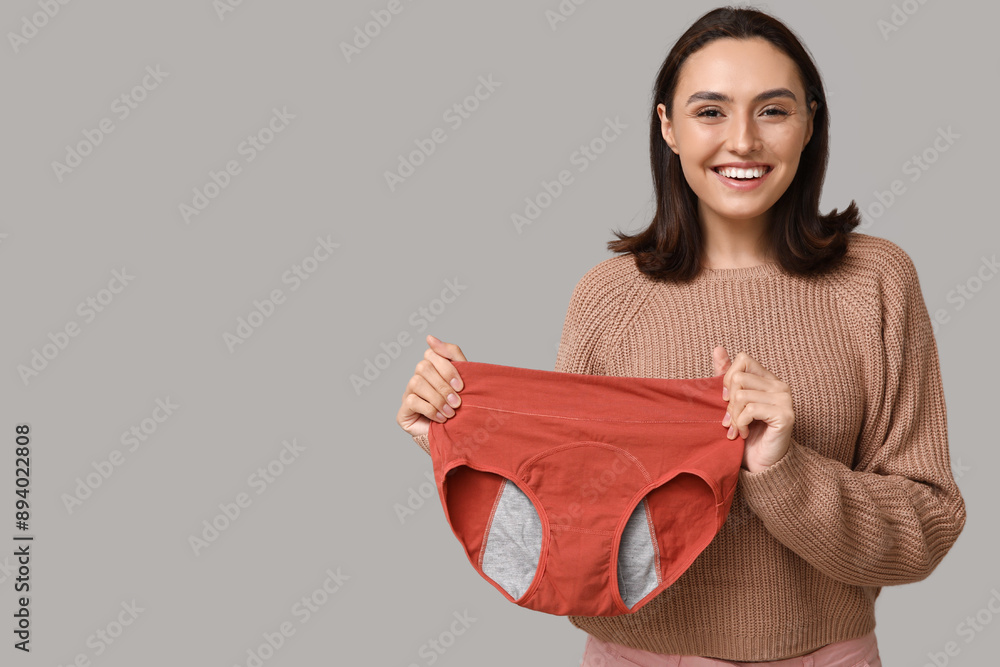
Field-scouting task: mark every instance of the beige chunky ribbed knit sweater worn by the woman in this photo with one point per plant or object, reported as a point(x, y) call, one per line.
point(865, 496)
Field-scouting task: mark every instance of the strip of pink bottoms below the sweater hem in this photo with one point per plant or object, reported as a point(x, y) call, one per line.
point(860, 652)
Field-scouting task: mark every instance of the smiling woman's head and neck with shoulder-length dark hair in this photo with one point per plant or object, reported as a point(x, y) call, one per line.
point(738, 92)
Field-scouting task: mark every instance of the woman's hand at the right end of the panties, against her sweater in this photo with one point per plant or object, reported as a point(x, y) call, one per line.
point(760, 408)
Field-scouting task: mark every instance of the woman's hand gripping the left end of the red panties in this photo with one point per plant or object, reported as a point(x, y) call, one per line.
point(432, 392)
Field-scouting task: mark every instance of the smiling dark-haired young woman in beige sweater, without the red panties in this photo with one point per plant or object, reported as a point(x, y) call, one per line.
point(835, 386)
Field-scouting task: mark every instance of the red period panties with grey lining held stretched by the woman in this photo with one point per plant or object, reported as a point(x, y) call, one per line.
point(584, 495)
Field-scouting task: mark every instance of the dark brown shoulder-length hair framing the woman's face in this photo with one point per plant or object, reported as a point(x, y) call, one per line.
point(803, 241)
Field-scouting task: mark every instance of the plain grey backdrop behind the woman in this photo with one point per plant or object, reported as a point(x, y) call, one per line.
point(335, 505)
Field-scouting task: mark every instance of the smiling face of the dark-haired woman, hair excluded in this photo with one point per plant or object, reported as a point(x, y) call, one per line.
point(734, 105)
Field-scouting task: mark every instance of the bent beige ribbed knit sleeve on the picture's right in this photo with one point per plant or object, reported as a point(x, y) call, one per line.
point(892, 516)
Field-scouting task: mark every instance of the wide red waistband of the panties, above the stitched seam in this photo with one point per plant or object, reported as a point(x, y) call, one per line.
point(600, 397)
